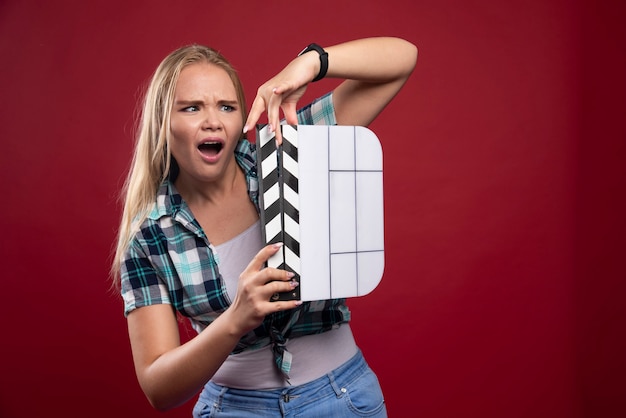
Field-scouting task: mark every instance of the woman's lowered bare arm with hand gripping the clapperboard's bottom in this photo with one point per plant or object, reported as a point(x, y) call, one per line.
point(170, 373)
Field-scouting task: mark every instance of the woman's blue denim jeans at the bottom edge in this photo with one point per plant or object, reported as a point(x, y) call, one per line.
point(351, 390)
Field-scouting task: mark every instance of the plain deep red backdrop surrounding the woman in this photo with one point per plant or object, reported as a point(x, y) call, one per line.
point(504, 196)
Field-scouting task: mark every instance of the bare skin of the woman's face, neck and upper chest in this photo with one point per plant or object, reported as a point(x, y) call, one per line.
point(206, 111)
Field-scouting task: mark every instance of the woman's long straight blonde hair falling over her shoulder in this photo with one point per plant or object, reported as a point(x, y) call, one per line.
point(152, 160)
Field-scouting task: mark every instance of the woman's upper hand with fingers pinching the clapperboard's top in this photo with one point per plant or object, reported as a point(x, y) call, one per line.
point(282, 92)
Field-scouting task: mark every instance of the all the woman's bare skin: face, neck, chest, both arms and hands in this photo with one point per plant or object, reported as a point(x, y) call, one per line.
point(205, 109)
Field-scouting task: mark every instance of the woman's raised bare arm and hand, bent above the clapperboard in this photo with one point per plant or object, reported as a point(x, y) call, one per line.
point(374, 69)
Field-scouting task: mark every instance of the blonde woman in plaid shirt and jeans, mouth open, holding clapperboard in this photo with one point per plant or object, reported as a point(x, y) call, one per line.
point(190, 239)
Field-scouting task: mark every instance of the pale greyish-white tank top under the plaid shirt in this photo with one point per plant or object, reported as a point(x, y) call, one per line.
point(313, 355)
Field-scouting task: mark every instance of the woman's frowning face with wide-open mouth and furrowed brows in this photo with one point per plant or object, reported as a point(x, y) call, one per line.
point(206, 124)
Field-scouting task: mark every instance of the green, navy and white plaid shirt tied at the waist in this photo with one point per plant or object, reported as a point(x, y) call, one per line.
point(170, 260)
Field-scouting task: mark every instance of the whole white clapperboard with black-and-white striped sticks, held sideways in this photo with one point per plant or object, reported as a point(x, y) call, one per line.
point(321, 195)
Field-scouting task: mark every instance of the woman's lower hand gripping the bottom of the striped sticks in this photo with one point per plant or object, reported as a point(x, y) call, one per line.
point(256, 286)
